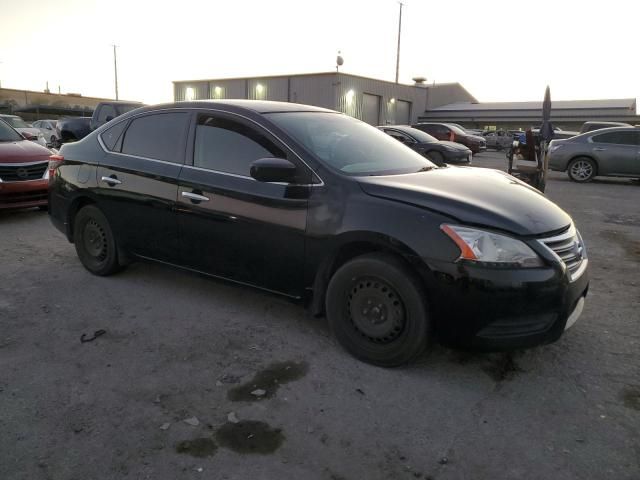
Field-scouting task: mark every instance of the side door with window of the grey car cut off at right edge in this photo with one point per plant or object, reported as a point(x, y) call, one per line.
point(616, 152)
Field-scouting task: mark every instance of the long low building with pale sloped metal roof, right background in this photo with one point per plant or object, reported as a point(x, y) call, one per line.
point(569, 115)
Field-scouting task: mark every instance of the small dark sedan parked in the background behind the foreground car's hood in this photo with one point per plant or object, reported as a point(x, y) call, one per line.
point(439, 152)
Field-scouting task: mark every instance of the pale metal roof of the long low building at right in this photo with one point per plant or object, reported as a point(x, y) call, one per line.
point(623, 103)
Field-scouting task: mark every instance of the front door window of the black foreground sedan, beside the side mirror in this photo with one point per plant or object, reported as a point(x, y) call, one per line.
point(227, 146)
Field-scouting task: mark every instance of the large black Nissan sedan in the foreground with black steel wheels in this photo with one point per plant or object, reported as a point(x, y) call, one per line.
point(318, 206)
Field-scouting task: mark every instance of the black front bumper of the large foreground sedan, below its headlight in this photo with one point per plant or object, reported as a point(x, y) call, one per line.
point(500, 309)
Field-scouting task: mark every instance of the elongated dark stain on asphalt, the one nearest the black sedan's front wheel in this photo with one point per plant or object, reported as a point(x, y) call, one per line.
point(268, 380)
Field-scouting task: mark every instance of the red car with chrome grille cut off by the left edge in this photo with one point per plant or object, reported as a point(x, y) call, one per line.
point(24, 176)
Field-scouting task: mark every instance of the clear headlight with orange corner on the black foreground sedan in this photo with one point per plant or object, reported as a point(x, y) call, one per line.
point(491, 248)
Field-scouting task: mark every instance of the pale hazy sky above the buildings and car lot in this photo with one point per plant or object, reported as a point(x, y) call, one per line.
point(498, 50)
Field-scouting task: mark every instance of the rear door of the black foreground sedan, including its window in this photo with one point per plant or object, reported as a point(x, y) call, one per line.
point(138, 181)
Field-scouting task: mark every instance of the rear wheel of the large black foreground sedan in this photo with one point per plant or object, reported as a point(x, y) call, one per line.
point(94, 241)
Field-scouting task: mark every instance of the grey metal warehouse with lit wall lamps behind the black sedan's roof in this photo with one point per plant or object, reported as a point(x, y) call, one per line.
point(376, 102)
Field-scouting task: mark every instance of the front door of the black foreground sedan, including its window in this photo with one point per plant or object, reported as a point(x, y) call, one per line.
point(233, 226)
